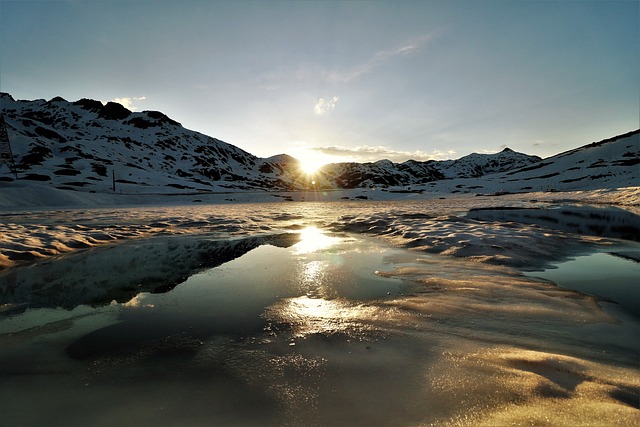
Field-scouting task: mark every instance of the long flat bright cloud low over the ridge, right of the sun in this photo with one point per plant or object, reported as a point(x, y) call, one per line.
point(369, 153)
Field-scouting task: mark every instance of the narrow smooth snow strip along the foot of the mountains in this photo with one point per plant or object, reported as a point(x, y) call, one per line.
point(24, 196)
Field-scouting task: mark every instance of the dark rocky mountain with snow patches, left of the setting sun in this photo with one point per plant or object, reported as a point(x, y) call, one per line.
point(85, 144)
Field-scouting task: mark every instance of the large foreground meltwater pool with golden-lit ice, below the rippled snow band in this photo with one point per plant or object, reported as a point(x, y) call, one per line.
point(309, 329)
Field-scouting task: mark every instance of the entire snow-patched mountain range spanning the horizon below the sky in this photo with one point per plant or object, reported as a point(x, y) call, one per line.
point(93, 146)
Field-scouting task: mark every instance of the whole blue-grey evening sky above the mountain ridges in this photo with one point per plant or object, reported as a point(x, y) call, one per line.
point(342, 80)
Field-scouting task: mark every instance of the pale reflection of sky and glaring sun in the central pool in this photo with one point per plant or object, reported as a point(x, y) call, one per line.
point(307, 293)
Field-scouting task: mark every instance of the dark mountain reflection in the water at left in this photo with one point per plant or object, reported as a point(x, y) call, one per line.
point(119, 273)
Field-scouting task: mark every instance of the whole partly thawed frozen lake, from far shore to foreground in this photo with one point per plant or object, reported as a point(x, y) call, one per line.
point(320, 314)
